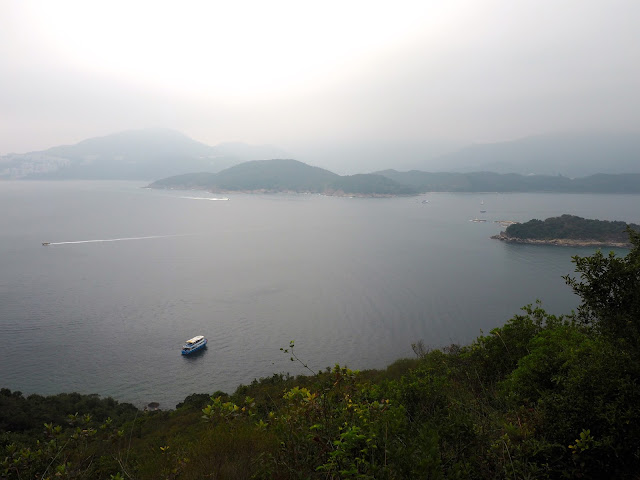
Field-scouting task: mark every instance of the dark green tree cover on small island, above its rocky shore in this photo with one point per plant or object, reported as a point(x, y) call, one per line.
point(571, 227)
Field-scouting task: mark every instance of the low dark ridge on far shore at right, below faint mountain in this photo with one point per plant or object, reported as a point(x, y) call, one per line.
point(511, 182)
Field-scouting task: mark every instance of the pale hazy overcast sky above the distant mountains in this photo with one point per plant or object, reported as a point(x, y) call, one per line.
point(297, 73)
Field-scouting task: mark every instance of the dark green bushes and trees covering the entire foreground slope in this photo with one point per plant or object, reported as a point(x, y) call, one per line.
point(542, 397)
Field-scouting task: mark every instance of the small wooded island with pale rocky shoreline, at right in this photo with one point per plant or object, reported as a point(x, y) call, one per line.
point(569, 230)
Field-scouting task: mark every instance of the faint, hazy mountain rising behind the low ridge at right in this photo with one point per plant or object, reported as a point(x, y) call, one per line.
point(572, 155)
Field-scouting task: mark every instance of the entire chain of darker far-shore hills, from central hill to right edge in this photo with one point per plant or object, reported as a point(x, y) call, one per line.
point(294, 176)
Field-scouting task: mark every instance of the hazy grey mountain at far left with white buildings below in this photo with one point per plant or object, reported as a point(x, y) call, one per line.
point(130, 155)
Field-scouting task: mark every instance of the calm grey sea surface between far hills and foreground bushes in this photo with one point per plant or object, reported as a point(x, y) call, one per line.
point(352, 281)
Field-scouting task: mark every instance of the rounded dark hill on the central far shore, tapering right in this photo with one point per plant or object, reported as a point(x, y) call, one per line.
point(285, 176)
